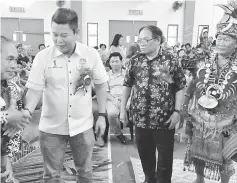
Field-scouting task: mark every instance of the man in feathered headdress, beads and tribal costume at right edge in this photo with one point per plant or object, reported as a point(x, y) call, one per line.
point(211, 102)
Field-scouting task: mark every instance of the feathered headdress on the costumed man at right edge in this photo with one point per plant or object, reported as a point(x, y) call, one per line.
point(228, 23)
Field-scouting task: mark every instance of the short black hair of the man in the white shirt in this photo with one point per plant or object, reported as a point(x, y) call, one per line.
point(66, 16)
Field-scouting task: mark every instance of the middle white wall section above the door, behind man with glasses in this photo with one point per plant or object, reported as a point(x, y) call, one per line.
point(101, 12)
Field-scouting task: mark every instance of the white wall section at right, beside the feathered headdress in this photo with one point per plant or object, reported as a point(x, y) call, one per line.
point(206, 13)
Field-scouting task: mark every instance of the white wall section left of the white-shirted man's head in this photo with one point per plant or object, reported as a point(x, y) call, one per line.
point(35, 9)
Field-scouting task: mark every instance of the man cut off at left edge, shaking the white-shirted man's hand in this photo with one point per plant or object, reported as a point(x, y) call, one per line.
point(11, 118)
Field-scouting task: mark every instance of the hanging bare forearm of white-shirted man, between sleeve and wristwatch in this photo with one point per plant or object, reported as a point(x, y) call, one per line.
point(101, 95)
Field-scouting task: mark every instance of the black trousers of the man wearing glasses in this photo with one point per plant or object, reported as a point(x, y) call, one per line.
point(147, 141)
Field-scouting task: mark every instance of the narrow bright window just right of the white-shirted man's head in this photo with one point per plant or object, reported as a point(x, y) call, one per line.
point(92, 34)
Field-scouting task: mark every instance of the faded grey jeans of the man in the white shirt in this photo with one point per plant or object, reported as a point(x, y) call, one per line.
point(53, 149)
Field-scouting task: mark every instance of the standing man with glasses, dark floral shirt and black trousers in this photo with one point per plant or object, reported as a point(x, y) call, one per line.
point(158, 88)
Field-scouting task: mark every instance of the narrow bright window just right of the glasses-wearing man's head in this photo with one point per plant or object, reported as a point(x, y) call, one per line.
point(172, 34)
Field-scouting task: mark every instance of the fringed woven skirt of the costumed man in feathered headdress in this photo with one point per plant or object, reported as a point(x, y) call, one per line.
point(204, 151)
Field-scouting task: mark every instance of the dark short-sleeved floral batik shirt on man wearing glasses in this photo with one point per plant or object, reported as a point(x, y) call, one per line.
point(155, 83)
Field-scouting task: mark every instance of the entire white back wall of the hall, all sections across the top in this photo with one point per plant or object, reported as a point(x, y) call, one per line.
point(102, 11)
